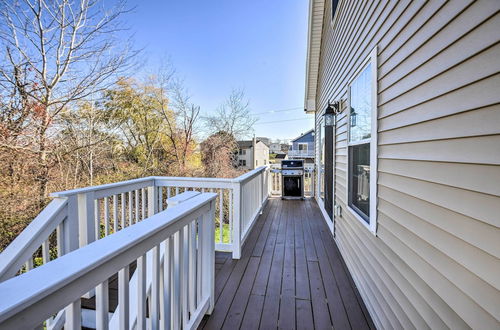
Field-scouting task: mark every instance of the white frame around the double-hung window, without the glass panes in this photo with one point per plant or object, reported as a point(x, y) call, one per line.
point(372, 225)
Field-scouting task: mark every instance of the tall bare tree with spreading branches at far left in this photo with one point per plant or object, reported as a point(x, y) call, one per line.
point(55, 53)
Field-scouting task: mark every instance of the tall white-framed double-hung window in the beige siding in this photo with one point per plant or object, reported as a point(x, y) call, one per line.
point(362, 144)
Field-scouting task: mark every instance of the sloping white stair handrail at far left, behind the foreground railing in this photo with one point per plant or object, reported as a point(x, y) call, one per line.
point(31, 238)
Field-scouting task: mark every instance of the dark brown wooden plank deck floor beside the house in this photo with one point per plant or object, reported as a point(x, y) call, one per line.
point(290, 275)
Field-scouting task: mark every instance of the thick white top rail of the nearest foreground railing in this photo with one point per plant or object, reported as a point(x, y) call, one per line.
point(96, 262)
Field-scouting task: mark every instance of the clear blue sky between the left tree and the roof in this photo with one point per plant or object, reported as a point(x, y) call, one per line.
point(257, 45)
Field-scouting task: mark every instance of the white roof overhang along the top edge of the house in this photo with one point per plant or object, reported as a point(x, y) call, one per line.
point(316, 10)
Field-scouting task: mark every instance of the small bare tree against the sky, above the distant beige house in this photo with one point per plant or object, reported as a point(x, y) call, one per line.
point(233, 116)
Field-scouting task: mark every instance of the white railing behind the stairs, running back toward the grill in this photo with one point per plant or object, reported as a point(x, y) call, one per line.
point(76, 218)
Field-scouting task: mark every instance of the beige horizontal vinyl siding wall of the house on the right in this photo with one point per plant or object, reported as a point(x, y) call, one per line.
point(434, 262)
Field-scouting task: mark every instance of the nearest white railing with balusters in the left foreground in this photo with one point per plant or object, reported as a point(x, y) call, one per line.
point(173, 251)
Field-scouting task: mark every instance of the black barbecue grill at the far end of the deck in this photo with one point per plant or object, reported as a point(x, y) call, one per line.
point(292, 176)
